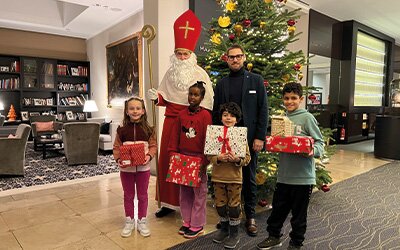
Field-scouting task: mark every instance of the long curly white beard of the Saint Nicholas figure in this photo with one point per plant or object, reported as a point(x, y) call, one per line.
point(181, 71)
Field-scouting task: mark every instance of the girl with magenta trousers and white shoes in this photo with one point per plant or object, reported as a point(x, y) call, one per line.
point(136, 129)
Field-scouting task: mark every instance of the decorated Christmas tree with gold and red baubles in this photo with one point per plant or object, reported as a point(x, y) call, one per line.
point(263, 28)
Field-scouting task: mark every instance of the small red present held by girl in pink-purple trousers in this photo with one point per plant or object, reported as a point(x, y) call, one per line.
point(132, 155)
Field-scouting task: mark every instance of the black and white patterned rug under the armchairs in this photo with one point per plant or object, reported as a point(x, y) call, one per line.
point(40, 171)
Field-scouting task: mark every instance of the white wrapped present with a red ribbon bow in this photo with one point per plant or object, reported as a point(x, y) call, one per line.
point(221, 139)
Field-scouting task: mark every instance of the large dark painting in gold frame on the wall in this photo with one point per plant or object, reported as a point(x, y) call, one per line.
point(124, 69)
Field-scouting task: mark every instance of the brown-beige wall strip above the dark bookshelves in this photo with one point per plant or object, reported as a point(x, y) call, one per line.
point(26, 43)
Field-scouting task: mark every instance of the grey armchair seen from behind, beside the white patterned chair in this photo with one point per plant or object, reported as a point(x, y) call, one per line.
point(81, 142)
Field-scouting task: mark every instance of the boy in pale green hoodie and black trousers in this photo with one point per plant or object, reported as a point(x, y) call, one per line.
point(296, 175)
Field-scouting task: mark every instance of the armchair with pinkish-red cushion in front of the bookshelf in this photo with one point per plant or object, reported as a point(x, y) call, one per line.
point(40, 126)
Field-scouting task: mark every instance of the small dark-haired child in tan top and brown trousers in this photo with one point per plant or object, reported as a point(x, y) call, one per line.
point(227, 178)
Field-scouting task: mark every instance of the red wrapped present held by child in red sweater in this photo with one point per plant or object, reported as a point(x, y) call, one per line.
point(184, 170)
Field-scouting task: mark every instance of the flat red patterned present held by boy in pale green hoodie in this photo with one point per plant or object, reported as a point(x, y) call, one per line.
point(290, 144)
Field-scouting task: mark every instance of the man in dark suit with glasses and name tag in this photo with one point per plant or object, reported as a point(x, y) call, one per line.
point(247, 90)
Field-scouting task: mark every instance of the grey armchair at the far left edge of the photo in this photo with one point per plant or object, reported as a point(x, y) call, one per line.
point(13, 162)
